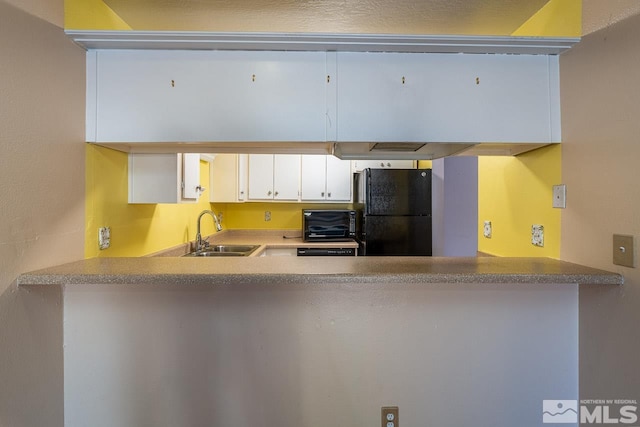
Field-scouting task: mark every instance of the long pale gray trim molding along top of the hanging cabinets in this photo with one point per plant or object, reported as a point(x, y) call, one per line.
point(320, 42)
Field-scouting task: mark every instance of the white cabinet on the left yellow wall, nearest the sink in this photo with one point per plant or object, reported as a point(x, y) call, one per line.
point(159, 178)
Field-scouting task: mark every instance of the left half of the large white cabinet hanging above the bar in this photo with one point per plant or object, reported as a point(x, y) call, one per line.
point(207, 96)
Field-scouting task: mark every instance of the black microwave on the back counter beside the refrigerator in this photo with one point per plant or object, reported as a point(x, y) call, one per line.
point(328, 225)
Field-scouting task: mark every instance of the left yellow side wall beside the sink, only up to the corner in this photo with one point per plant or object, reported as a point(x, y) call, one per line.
point(135, 229)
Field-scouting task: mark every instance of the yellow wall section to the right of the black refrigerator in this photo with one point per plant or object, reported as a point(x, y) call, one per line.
point(514, 193)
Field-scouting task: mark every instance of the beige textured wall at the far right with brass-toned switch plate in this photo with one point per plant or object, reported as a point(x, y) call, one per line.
point(600, 152)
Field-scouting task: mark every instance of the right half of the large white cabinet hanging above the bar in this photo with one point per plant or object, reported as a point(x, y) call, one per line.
point(446, 98)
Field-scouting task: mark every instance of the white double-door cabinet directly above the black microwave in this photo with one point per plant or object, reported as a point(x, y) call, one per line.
point(325, 178)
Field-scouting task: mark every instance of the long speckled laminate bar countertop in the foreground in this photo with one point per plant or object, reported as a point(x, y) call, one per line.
point(317, 270)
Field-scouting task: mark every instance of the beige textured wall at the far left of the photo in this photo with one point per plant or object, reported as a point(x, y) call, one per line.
point(41, 206)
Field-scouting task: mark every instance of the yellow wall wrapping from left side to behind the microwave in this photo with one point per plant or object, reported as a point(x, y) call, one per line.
point(141, 229)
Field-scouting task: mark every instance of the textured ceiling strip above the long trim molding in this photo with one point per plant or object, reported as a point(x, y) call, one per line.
point(460, 17)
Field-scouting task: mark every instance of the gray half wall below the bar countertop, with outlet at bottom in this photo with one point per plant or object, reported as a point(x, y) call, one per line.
point(291, 354)
